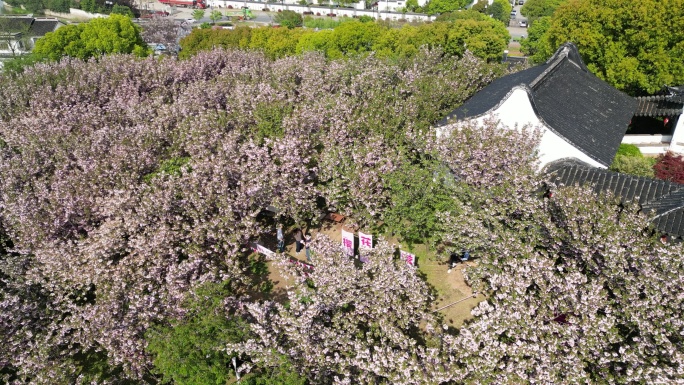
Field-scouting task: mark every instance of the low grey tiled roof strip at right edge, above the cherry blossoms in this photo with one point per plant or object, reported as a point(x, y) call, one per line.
point(661, 201)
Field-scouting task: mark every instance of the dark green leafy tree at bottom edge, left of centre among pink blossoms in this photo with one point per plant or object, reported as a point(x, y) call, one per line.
point(191, 351)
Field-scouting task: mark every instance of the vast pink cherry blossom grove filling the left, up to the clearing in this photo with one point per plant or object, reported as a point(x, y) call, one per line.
point(126, 183)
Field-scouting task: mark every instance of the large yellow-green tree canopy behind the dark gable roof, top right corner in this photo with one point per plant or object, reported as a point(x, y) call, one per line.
point(637, 46)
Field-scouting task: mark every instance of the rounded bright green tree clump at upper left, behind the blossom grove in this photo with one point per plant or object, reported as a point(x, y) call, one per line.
point(100, 36)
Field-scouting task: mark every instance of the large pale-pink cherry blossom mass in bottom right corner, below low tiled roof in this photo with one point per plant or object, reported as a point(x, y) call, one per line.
point(579, 290)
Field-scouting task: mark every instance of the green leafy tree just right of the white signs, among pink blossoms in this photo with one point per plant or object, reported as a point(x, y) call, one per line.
point(418, 191)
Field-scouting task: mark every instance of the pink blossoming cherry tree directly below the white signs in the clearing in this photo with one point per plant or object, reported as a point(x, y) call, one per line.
point(349, 322)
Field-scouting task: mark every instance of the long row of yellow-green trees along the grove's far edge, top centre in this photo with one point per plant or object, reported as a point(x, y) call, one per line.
point(484, 37)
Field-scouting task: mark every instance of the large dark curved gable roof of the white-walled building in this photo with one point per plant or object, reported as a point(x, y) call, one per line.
point(573, 103)
